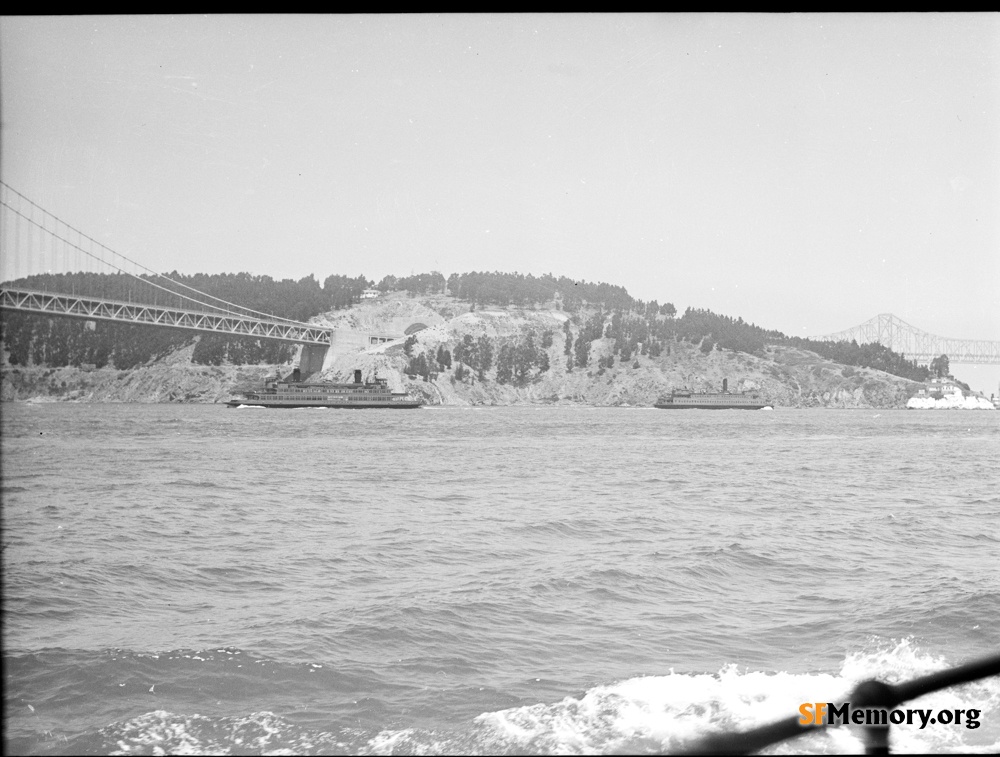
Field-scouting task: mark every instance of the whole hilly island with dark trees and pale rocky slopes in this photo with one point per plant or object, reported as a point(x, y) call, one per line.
point(471, 339)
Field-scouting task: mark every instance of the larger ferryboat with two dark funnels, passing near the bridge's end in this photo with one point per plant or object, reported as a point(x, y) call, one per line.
point(292, 392)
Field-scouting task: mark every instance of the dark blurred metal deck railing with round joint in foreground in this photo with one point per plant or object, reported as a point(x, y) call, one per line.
point(870, 694)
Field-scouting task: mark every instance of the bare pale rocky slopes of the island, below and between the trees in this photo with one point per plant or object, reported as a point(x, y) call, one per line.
point(785, 376)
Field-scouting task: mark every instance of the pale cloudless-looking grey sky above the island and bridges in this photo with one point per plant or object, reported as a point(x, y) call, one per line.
point(803, 172)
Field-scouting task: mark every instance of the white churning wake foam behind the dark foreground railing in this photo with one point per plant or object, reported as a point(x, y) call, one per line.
point(645, 715)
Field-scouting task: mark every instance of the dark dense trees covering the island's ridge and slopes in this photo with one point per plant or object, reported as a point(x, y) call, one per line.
point(598, 311)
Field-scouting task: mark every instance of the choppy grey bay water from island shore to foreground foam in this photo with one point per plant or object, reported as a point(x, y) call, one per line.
point(492, 580)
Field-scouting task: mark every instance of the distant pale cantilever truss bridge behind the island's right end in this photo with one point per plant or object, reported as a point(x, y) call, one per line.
point(917, 345)
